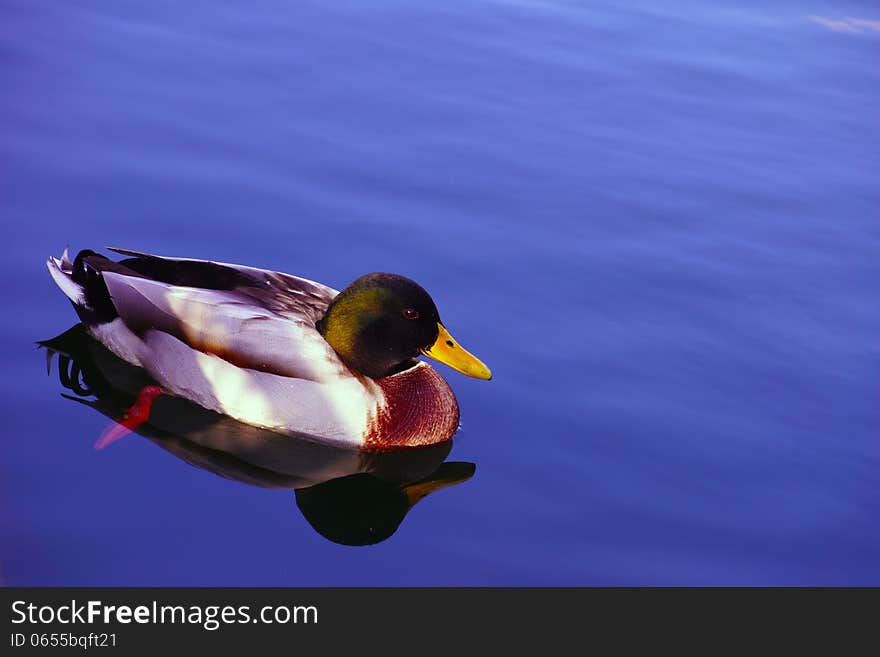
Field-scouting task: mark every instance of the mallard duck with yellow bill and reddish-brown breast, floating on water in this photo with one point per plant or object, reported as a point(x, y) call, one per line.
point(274, 350)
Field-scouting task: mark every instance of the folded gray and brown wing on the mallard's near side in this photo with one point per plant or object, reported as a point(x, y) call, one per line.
point(253, 318)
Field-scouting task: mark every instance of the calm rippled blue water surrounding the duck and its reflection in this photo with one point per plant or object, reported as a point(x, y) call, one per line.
point(657, 225)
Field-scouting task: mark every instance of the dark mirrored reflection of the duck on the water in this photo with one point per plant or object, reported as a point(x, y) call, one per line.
point(350, 497)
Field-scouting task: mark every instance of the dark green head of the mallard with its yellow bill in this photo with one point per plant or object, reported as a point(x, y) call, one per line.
point(380, 322)
